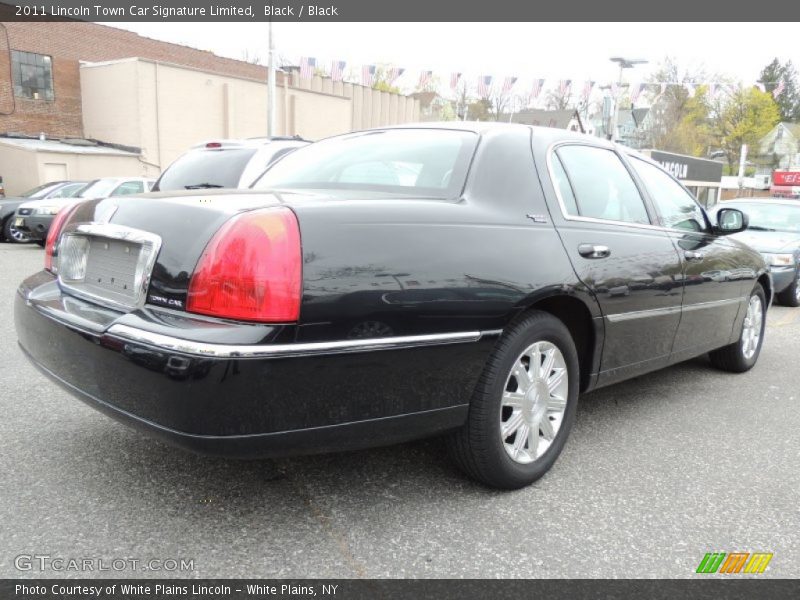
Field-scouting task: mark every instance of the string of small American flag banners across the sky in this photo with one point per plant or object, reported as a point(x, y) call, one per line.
point(486, 85)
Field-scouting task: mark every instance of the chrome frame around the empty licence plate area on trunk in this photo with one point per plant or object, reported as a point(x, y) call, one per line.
point(117, 232)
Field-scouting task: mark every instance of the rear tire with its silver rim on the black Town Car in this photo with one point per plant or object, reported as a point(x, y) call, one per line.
point(523, 407)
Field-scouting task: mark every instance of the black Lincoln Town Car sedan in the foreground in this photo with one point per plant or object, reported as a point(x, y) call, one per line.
point(468, 280)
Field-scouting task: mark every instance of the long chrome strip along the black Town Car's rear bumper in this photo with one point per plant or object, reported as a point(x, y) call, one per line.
point(169, 343)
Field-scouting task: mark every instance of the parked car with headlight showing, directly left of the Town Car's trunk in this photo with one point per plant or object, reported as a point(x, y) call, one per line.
point(33, 217)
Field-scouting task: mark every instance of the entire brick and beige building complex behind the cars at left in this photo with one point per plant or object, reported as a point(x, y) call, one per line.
point(152, 100)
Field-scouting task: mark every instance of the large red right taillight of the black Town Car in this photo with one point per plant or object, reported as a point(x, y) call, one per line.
point(251, 269)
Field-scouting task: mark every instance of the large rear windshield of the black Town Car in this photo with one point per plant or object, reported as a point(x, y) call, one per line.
point(418, 162)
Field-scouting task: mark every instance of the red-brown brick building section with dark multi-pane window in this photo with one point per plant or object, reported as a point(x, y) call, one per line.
point(51, 53)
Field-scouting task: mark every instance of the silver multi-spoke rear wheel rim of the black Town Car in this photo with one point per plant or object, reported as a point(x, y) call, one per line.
point(534, 402)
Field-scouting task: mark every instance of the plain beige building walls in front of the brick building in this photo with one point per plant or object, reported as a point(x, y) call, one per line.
point(164, 109)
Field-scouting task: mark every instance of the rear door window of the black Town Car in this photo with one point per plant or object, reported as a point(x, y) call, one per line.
point(602, 186)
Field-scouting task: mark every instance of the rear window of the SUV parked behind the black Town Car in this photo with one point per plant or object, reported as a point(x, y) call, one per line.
point(206, 169)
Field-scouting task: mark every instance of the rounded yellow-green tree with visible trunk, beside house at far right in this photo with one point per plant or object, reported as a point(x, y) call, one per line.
point(744, 117)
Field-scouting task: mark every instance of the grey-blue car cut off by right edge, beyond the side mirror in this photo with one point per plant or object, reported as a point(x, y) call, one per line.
point(774, 230)
